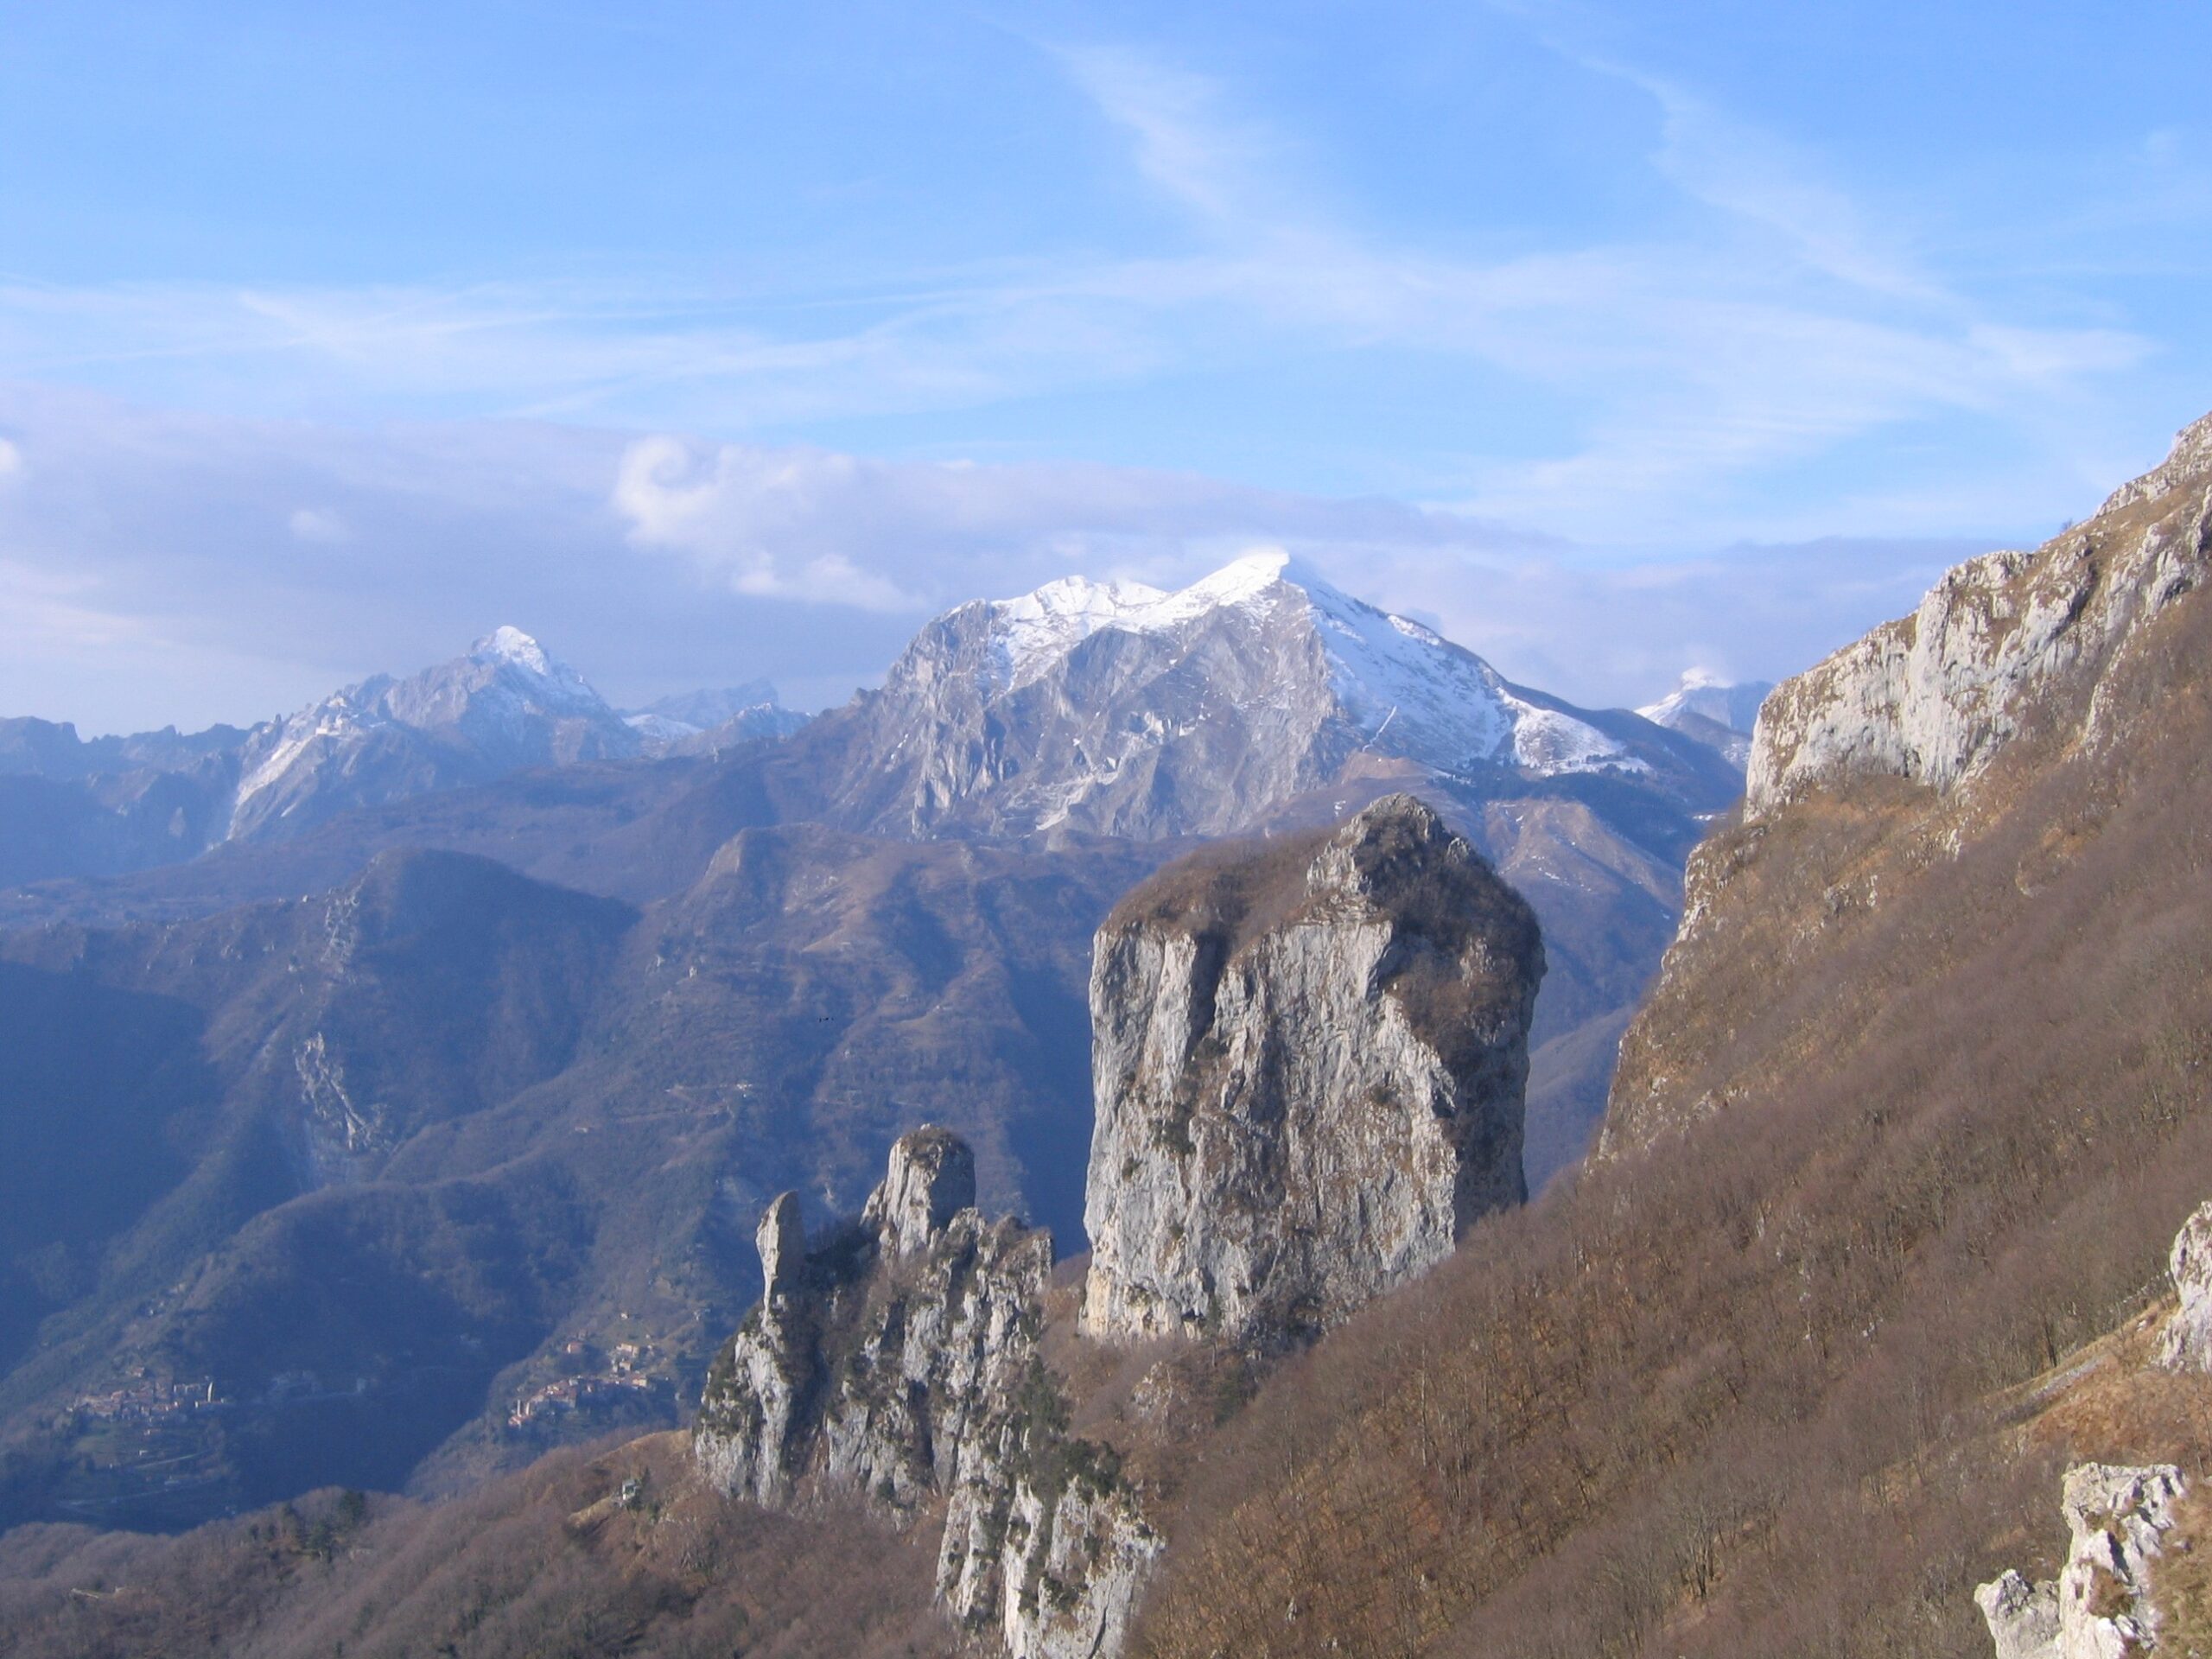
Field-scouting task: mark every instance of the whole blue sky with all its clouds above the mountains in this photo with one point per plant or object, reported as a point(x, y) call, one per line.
point(713, 342)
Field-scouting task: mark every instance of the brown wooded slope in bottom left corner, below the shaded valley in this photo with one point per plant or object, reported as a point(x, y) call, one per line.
point(581, 1556)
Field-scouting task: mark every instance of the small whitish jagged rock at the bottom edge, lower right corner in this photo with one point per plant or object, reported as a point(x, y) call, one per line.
point(2100, 1607)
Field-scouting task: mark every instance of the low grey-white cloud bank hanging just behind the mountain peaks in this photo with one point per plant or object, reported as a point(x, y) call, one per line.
point(176, 547)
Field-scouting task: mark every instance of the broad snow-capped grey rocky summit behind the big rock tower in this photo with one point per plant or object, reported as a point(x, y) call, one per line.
point(1120, 709)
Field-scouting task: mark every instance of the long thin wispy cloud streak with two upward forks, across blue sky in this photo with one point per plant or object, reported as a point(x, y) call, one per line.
point(1771, 326)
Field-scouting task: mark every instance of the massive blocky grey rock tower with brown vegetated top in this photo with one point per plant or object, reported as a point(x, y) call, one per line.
point(1308, 1070)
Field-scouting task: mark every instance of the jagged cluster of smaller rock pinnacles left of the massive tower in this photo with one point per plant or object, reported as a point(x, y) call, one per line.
point(899, 1359)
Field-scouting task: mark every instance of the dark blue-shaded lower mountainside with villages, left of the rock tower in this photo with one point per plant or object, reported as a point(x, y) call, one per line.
point(450, 1147)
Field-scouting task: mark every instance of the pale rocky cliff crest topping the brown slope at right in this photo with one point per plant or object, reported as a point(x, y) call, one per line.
point(1934, 696)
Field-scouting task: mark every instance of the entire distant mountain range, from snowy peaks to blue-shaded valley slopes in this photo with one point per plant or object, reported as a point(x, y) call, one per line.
point(459, 1156)
